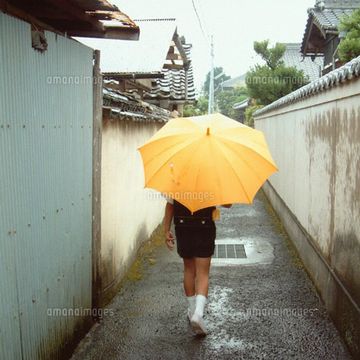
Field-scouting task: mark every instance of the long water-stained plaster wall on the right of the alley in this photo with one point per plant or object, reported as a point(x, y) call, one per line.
point(316, 145)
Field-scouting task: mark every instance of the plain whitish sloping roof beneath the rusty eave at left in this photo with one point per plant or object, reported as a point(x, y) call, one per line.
point(147, 55)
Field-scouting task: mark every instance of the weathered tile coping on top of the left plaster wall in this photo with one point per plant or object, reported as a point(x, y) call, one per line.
point(126, 107)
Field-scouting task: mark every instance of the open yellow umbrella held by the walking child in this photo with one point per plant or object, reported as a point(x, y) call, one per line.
point(207, 160)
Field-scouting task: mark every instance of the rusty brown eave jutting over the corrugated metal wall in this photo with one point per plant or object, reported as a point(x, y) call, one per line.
point(87, 18)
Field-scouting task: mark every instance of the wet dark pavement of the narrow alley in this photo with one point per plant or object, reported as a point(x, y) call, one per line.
point(262, 306)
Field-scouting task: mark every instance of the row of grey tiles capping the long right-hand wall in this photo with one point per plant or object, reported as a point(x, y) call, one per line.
point(330, 80)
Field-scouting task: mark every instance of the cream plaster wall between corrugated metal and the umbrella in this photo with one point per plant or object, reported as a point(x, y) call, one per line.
point(129, 212)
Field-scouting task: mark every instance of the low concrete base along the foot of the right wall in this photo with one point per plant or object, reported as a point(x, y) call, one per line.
point(341, 306)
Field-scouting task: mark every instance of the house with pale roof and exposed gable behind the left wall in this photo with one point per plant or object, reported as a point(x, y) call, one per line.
point(157, 68)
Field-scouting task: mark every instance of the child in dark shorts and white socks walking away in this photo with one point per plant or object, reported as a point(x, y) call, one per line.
point(195, 239)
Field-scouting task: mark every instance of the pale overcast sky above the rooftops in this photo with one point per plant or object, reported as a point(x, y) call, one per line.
point(235, 24)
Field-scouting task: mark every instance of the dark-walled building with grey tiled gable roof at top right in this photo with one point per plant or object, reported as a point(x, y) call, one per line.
point(322, 36)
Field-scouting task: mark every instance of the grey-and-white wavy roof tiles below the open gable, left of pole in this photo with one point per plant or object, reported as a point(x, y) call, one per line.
point(173, 85)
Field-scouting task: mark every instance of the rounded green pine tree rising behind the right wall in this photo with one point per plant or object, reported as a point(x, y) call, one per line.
point(269, 82)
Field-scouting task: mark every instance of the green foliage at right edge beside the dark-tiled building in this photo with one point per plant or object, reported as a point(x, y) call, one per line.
point(349, 47)
